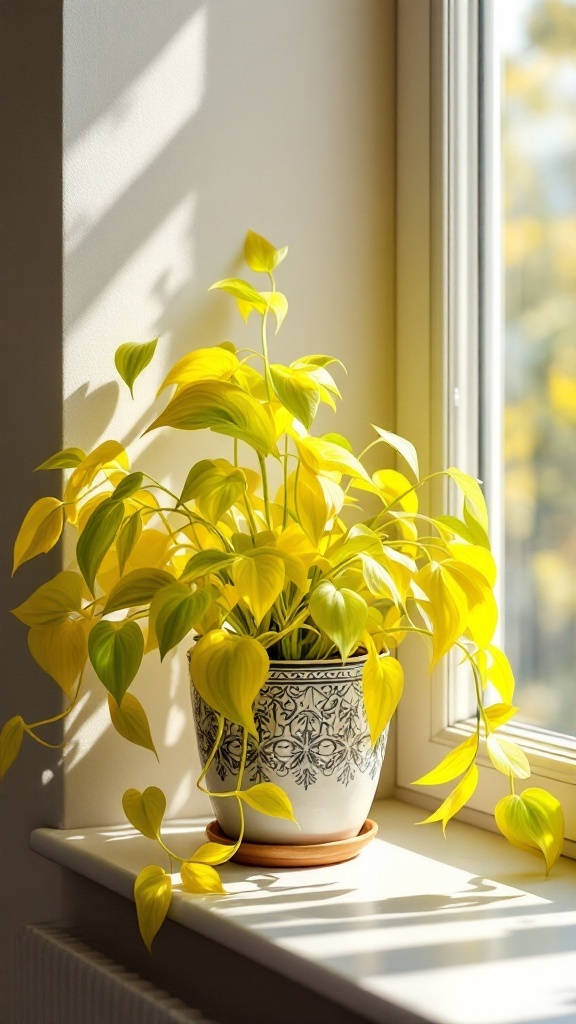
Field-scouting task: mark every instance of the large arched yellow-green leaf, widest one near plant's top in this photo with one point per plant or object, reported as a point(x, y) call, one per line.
point(224, 408)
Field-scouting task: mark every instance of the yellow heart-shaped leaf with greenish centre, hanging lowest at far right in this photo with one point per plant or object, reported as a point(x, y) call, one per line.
point(533, 822)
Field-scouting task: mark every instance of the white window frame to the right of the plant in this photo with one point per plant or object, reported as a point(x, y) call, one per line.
point(448, 226)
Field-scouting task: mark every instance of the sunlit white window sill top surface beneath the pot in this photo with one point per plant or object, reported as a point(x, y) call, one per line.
point(460, 931)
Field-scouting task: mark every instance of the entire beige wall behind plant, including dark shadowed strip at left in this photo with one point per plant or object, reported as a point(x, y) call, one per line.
point(185, 124)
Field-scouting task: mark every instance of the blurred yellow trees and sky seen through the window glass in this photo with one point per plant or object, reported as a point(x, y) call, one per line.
point(539, 39)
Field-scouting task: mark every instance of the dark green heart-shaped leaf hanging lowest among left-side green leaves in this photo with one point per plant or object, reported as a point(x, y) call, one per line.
point(116, 652)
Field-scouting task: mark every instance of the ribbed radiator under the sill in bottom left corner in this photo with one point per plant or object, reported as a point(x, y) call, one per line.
point(62, 980)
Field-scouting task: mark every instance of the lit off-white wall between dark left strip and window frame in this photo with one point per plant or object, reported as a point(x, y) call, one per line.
point(186, 123)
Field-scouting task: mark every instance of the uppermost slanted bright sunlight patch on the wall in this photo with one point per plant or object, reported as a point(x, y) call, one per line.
point(116, 149)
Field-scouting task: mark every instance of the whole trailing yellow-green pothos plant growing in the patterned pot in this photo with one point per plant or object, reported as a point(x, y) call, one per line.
point(270, 563)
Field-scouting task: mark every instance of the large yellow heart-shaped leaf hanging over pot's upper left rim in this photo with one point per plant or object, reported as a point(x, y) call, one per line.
point(229, 671)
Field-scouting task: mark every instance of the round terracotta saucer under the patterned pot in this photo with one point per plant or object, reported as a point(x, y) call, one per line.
point(271, 856)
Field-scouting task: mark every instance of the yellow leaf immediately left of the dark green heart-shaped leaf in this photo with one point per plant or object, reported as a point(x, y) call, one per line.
point(62, 651)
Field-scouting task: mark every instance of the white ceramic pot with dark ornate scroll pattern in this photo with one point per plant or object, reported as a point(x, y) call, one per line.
point(313, 742)
